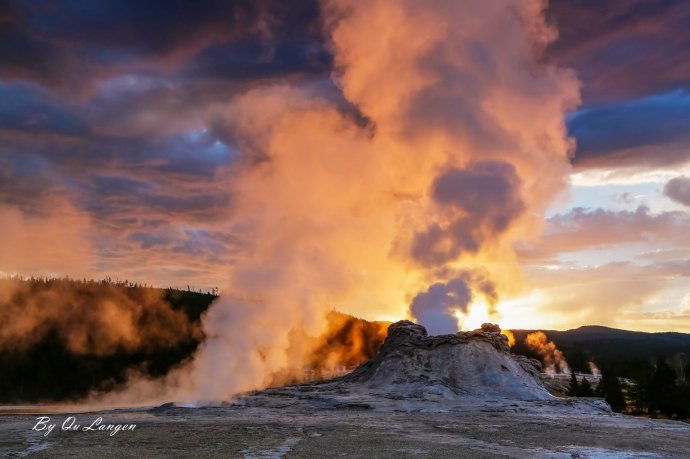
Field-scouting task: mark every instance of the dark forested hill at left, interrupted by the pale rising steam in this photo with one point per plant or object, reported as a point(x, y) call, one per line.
point(62, 338)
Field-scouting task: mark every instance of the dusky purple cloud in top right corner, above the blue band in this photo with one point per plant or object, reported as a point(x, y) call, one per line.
point(623, 49)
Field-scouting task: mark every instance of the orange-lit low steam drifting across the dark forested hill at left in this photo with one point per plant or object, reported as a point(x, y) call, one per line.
point(89, 318)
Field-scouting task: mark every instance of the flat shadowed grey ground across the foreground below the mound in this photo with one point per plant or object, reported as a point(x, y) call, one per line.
point(272, 427)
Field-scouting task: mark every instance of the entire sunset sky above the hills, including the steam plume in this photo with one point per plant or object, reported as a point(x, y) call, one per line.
point(135, 138)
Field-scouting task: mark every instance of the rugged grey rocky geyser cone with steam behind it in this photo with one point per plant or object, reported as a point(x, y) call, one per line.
point(476, 363)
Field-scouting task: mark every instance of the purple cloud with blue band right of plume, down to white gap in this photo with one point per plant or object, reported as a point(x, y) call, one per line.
point(633, 58)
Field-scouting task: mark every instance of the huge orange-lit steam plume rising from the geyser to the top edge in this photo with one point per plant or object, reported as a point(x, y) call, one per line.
point(456, 146)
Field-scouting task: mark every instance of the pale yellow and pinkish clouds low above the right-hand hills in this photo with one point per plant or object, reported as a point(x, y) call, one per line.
point(596, 266)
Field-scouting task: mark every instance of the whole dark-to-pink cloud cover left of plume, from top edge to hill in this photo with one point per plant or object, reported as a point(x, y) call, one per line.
point(115, 109)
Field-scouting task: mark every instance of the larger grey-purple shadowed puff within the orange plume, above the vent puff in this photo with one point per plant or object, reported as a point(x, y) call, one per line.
point(481, 201)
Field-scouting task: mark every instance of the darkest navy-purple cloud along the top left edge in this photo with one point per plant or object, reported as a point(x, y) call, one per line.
point(74, 44)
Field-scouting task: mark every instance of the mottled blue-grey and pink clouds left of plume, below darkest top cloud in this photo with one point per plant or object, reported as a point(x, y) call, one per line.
point(125, 172)
